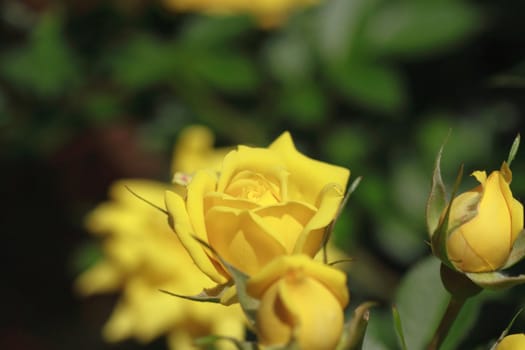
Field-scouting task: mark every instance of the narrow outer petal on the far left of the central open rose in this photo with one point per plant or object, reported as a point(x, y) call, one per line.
point(184, 230)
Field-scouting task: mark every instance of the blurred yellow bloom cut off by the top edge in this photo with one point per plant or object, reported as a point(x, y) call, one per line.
point(268, 12)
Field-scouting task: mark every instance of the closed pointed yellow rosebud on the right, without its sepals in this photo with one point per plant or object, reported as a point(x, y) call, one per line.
point(483, 244)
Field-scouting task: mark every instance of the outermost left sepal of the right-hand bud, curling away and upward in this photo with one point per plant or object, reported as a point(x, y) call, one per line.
point(437, 198)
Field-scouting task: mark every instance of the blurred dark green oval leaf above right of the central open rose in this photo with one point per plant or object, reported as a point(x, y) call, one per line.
point(374, 86)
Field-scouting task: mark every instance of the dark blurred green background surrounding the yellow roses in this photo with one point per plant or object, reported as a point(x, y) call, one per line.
point(94, 91)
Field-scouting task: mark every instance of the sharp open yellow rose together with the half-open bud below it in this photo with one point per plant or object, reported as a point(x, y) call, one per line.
point(266, 213)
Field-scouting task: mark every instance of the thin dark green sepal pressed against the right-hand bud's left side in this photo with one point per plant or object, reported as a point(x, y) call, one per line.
point(438, 240)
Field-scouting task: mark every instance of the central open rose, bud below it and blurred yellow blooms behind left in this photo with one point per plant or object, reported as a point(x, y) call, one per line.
point(264, 211)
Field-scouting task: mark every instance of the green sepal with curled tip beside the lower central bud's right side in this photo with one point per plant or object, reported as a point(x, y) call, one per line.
point(355, 330)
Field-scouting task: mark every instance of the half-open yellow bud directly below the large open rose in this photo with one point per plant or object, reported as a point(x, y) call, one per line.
point(299, 298)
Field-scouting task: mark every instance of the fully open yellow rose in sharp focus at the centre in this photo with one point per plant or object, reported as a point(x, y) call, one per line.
point(264, 203)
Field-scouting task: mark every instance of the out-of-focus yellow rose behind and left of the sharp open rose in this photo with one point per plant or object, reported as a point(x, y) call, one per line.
point(141, 256)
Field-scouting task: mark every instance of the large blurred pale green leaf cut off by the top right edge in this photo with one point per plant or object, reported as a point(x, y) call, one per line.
point(412, 28)
